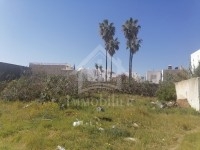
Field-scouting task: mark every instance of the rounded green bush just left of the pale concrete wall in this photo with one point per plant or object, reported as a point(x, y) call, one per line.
point(166, 91)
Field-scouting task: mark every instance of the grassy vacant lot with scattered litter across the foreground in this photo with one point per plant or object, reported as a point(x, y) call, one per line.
point(126, 122)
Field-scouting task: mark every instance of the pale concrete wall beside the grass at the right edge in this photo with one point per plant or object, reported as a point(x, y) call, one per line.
point(189, 89)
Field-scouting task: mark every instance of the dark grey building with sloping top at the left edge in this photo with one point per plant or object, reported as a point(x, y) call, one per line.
point(11, 71)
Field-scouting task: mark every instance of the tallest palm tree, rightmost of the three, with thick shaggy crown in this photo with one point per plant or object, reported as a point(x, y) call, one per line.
point(131, 29)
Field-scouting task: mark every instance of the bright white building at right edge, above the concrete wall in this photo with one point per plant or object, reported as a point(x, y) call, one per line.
point(195, 59)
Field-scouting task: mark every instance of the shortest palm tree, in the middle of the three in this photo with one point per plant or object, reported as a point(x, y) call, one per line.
point(112, 46)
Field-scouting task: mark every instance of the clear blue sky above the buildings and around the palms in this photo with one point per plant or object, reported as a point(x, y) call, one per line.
point(67, 31)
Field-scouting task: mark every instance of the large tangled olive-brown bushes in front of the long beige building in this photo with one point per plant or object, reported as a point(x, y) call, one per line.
point(39, 86)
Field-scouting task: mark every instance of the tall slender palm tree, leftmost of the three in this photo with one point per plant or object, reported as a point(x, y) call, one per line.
point(107, 31)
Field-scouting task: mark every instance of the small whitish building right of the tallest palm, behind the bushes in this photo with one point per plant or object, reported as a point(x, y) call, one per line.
point(154, 76)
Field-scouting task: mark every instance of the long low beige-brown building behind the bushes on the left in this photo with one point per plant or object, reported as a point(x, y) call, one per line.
point(51, 68)
